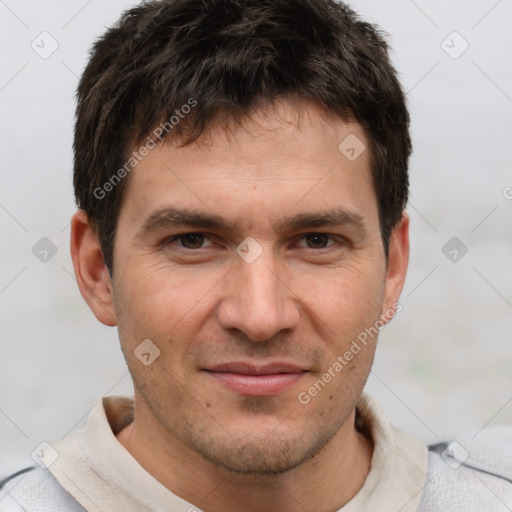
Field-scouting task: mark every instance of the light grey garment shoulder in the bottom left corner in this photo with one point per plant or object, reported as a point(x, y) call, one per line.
point(35, 489)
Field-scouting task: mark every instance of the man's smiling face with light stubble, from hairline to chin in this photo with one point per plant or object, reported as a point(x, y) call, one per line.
point(244, 326)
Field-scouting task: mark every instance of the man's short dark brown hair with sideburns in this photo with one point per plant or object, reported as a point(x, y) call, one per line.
point(229, 56)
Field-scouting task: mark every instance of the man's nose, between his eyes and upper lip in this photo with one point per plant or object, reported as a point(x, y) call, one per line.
point(257, 300)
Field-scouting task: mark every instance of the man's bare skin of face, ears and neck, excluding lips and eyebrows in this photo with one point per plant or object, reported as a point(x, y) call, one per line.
point(302, 300)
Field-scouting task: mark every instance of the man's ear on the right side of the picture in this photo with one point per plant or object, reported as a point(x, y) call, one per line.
point(398, 260)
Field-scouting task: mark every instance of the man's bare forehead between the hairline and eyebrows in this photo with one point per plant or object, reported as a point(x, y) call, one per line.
point(287, 157)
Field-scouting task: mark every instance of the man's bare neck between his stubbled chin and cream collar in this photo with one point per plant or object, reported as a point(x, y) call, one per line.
point(324, 483)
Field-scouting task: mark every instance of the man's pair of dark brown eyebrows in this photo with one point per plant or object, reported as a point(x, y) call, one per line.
point(182, 216)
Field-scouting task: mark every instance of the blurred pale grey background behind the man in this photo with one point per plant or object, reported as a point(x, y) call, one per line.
point(444, 364)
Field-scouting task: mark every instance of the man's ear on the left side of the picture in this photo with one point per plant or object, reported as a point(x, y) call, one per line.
point(90, 270)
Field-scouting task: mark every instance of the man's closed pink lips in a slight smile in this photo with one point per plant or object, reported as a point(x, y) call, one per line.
point(257, 380)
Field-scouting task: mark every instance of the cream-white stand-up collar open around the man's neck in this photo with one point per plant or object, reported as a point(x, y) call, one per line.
point(102, 475)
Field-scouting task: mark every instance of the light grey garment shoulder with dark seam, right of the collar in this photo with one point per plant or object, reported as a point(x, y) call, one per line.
point(471, 472)
